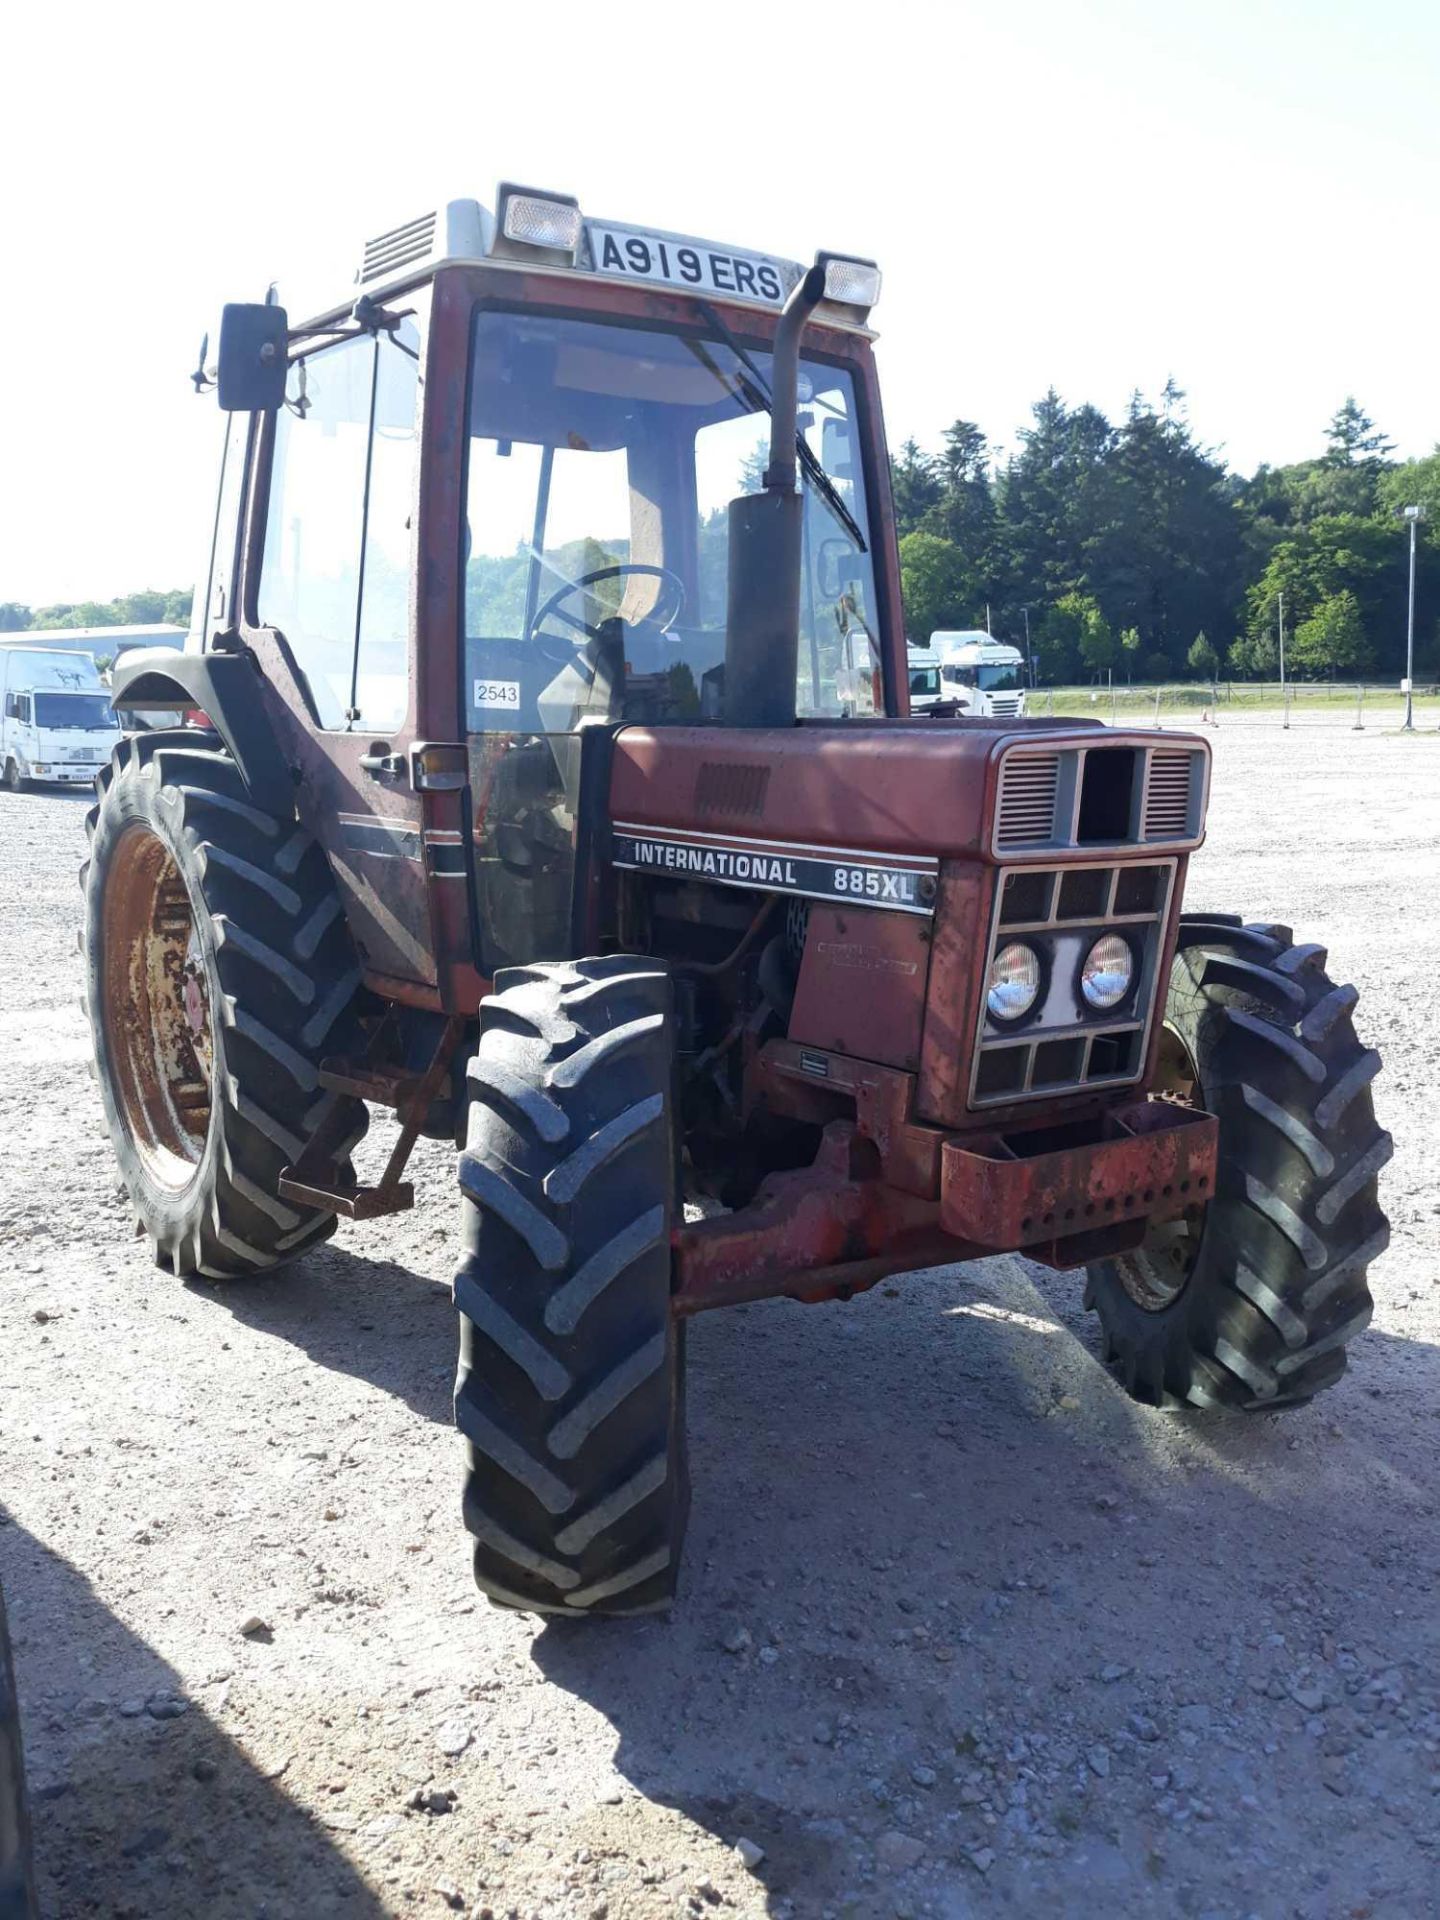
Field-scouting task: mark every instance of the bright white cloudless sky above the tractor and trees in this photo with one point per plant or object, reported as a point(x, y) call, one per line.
point(1090, 195)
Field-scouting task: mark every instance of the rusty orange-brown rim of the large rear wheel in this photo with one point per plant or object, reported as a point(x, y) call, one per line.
point(156, 1009)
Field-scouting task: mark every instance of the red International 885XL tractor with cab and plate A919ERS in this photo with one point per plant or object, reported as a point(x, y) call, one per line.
point(550, 779)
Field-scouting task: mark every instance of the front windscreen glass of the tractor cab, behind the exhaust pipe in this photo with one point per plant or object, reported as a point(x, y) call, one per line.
point(602, 464)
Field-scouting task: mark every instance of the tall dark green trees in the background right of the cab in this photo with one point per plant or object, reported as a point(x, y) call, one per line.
point(1134, 550)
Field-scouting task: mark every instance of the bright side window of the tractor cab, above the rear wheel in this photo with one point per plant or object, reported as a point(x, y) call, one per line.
point(335, 583)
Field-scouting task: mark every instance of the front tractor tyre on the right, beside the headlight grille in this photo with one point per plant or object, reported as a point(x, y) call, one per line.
point(1253, 1303)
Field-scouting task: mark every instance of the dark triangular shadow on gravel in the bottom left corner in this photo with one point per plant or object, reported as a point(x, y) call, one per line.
point(141, 1815)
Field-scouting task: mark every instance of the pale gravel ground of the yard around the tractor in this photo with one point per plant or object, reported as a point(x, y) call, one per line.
point(963, 1631)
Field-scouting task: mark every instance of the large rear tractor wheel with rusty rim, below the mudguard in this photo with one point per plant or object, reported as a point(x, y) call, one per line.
point(220, 972)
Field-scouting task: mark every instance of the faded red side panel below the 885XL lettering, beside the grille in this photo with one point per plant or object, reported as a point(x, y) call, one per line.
point(863, 984)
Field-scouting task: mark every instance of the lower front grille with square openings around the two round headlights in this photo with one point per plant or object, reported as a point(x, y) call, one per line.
point(1068, 1047)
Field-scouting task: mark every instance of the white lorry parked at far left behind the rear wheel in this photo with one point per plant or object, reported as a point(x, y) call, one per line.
point(57, 721)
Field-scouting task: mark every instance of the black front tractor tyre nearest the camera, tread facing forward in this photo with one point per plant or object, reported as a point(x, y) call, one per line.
point(571, 1376)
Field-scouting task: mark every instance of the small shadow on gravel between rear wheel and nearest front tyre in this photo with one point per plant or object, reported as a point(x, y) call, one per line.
point(368, 1318)
